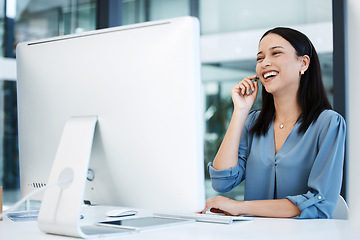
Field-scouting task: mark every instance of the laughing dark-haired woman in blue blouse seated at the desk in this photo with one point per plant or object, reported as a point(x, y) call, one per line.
point(290, 153)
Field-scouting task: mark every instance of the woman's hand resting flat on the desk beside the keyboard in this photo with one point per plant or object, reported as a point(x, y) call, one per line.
point(224, 205)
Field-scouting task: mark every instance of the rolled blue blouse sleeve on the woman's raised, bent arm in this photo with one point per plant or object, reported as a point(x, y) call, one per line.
point(226, 180)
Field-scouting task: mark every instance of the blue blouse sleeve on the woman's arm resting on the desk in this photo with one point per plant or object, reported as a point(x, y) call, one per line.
point(325, 177)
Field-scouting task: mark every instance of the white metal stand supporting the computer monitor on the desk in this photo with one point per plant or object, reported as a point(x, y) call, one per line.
point(61, 205)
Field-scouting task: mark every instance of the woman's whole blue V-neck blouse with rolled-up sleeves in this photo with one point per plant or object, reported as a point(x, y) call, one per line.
point(307, 169)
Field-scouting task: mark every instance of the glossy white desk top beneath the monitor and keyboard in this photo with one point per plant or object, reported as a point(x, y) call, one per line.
point(260, 228)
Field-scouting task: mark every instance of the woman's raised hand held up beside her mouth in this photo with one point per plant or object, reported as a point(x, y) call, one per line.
point(244, 93)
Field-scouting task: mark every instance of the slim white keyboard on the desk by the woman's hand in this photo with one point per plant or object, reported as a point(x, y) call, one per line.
point(208, 217)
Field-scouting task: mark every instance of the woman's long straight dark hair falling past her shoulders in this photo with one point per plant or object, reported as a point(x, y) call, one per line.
point(311, 94)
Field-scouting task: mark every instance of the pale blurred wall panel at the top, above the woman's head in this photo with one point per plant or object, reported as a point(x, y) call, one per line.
point(222, 16)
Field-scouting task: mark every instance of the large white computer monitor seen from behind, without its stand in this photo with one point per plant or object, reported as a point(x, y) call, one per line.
point(142, 81)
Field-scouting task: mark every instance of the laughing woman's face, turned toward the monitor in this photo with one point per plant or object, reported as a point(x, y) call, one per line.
point(278, 65)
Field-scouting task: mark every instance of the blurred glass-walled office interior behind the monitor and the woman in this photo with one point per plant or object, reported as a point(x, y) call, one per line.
point(230, 30)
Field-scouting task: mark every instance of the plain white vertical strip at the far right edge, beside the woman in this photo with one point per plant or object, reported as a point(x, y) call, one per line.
point(353, 101)
